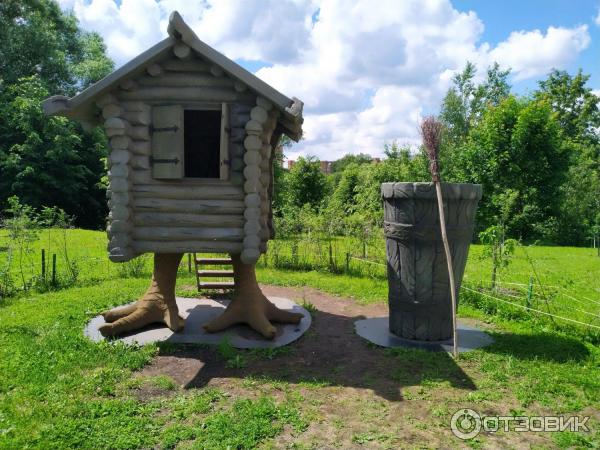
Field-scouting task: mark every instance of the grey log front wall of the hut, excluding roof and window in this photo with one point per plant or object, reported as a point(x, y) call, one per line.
point(187, 215)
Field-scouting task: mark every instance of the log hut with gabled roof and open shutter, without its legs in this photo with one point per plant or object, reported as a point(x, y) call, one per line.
point(192, 138)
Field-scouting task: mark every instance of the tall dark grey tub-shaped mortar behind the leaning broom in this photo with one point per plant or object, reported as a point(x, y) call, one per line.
point(419, 288)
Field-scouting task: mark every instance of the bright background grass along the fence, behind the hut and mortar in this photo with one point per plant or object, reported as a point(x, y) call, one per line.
point(565, 279)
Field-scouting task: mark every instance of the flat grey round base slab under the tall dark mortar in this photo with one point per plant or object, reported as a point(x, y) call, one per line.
point(376, 330)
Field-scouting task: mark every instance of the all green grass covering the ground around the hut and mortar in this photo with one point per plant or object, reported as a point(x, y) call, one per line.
point(60, 390)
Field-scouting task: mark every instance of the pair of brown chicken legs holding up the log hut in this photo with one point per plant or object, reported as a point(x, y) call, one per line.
point(248, 305)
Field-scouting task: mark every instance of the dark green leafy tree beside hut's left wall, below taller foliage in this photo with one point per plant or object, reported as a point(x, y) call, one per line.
point(49, 161)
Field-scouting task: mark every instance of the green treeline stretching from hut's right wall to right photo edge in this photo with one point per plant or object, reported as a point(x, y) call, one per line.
point(537, 157)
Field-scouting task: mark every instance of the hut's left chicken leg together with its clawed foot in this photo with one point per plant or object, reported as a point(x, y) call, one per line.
point(157, 305)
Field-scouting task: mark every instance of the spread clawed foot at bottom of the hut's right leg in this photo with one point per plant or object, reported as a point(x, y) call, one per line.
point(257, 312)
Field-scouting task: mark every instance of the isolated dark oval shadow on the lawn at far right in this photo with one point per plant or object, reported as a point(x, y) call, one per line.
point(545, 346)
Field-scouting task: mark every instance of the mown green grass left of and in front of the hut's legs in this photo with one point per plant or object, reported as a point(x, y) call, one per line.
point(60, 390)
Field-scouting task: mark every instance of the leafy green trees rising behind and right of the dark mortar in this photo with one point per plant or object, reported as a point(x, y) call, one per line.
point(544, 146)
